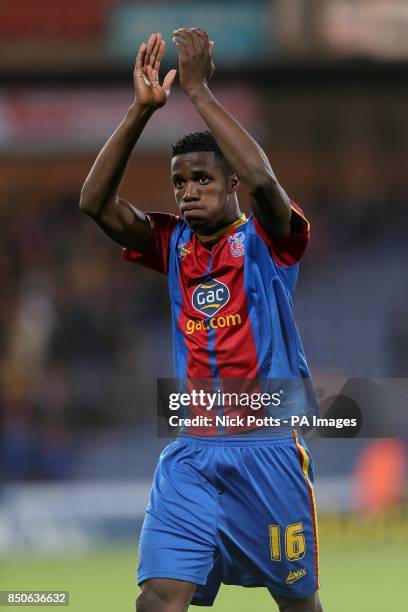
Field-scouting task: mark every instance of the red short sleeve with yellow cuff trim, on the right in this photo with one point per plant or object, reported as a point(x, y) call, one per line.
point(287, 250)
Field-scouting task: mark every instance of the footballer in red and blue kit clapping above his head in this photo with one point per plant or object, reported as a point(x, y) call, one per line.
point(237, 508)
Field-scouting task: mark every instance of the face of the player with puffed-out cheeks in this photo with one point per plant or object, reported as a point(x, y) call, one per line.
point(202, 191)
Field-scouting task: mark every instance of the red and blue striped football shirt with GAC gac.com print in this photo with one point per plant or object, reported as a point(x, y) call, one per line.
point(231, 295)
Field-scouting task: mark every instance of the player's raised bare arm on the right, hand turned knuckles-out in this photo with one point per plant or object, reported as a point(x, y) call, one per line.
point(270, 203)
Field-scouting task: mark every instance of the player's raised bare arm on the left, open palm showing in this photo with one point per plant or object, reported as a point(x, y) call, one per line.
point(119, 219)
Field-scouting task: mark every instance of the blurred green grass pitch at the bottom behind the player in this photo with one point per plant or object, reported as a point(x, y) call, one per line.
point(369, 576)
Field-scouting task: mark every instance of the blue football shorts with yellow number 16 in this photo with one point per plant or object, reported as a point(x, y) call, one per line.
point(234, 512)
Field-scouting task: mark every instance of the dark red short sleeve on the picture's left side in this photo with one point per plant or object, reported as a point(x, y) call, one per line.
point(156, 253)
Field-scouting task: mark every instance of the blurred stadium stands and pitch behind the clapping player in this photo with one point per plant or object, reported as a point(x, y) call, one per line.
point(83, 336)
